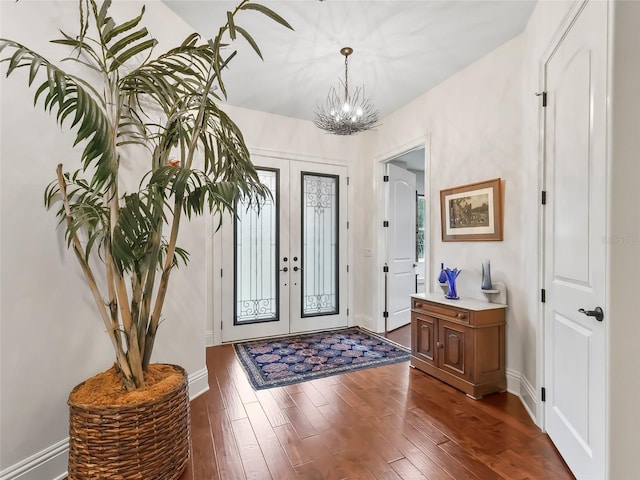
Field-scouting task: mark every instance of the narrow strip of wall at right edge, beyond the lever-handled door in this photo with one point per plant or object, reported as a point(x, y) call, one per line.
point(624, 243)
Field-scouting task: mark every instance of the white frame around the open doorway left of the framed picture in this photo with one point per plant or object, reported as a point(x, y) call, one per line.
point(381, 160)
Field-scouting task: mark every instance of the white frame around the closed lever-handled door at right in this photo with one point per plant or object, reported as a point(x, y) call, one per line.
point(563, 29)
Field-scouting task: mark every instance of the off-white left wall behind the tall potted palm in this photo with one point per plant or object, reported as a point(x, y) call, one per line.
point(51, 335)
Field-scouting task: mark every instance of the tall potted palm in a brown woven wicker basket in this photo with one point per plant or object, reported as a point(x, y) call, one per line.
point(157, 114)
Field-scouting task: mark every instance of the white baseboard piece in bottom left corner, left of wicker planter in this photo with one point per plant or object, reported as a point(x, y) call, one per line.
point(47, 463)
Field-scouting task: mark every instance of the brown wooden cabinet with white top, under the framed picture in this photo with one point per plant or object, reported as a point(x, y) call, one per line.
point(461, 342)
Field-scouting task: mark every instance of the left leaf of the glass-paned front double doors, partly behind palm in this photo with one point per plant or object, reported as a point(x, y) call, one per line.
point(255, 294)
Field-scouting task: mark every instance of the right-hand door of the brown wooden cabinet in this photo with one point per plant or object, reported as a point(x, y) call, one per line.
point(454, 352)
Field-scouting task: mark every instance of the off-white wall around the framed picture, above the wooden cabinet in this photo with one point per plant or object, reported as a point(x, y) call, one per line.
point(474, 120)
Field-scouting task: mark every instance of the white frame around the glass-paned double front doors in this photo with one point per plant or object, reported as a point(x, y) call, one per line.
point(213, 329)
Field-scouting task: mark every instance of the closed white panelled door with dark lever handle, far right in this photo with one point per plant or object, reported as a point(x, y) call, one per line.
point(575, 178)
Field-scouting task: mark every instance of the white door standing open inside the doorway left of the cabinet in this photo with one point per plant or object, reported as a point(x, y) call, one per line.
point(401, 244)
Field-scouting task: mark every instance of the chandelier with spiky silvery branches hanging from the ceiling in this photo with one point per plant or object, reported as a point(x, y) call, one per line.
point(349, 114)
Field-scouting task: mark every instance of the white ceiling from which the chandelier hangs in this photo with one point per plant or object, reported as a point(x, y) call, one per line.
point(401, 48)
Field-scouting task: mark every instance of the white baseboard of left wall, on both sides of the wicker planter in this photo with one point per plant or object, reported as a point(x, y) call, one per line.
point(50, 462)
